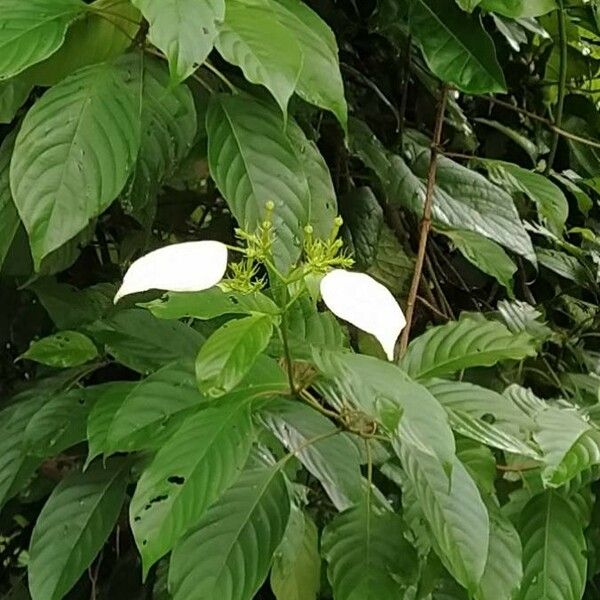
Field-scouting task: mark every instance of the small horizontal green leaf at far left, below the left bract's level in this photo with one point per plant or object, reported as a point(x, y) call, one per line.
point(62, 349)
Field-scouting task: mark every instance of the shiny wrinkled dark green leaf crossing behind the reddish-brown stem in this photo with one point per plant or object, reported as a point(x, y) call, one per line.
point(463, 199)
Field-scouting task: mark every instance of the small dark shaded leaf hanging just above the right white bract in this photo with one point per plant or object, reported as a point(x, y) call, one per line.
point(363, 221)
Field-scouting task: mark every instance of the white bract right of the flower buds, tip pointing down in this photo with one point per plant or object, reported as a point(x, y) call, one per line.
point(362, 301)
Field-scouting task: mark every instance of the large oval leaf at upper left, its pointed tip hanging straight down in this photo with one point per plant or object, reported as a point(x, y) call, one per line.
point(73, 155)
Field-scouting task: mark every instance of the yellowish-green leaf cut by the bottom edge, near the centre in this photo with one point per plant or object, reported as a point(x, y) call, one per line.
point(296, 571)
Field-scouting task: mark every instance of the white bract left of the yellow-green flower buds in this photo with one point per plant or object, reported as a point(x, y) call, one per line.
point(186, 267)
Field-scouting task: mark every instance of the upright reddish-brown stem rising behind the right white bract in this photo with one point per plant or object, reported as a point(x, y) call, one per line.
point(426, 220)
